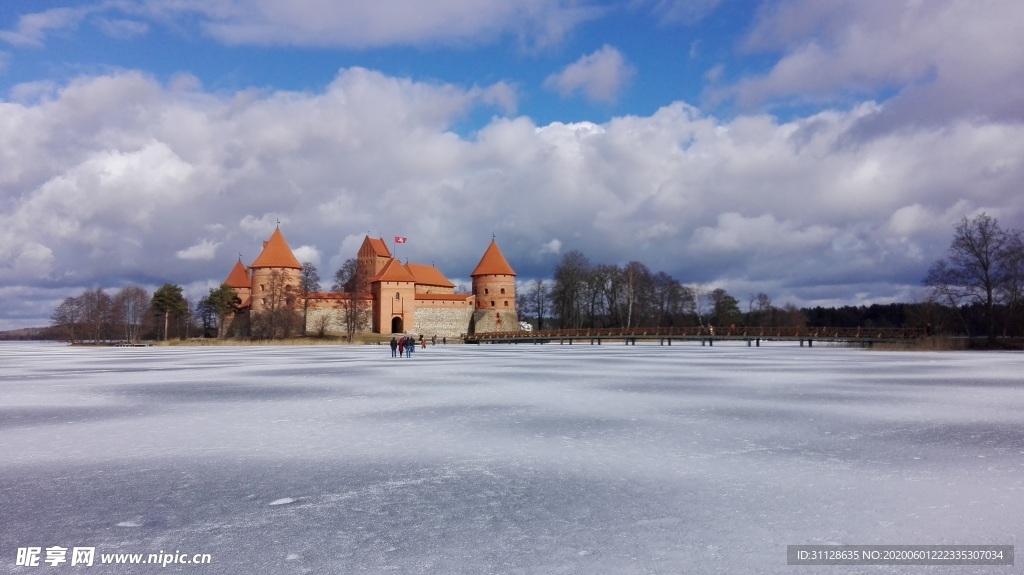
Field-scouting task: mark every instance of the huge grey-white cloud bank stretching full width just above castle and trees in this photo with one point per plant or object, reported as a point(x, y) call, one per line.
point(110, 176)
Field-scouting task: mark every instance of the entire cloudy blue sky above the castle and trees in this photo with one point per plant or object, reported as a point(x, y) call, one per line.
point(818, 152)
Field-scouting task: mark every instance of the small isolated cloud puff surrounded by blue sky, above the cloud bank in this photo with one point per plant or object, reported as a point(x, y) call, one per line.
point(601, 76)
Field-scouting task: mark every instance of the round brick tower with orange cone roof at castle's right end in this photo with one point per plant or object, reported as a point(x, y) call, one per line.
point(494, 286)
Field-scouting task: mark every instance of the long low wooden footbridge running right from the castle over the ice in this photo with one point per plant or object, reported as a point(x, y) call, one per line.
point(707, 336)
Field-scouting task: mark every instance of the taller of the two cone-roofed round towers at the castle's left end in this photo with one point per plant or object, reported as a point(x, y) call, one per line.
point(277, 277)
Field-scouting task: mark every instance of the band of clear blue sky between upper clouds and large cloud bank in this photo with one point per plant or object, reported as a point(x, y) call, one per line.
point(665, 58)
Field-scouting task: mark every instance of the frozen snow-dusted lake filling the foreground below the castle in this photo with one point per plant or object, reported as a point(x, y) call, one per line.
point(531, 460)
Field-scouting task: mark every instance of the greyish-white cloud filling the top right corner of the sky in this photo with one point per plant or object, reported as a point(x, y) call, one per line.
point(943, 58)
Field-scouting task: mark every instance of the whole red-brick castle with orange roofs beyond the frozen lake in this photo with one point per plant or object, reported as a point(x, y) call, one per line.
point(396, 298)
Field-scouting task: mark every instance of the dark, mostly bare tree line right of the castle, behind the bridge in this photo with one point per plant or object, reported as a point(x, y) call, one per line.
point(976, 290)
